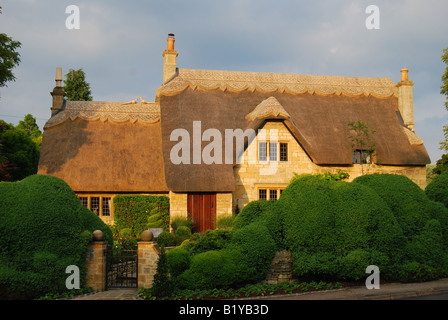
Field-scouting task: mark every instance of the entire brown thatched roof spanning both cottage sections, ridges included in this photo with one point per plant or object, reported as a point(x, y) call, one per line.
point(116, 147)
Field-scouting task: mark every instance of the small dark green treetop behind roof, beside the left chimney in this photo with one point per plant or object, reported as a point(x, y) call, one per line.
point(76, 87)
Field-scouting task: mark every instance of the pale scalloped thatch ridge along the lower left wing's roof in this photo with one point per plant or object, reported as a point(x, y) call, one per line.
point(118, 112)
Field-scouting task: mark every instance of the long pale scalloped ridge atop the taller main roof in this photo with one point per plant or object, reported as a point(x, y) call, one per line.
point(233, 81)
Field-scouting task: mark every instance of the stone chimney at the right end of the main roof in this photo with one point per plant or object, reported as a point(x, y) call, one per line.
point(405, 100)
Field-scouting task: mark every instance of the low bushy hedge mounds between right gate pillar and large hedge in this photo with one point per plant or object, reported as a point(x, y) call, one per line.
point(220, 258)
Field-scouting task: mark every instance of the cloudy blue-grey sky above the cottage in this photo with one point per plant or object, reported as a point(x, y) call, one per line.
point(119, 46)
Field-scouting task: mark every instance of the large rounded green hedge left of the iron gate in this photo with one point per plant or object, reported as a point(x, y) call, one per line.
point(44, 229)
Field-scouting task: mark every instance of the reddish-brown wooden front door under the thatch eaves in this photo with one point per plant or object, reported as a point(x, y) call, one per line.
point(202, 210)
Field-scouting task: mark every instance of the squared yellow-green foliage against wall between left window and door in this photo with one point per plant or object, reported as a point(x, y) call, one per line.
point(138, 213)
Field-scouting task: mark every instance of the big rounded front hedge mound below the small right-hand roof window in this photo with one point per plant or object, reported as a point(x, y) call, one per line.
point(336, 229)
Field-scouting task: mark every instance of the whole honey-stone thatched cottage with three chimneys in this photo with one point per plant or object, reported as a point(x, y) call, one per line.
point(215, 140)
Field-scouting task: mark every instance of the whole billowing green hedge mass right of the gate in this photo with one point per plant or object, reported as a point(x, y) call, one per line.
point(334, 229)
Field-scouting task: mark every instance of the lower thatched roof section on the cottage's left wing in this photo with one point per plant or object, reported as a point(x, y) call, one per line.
point(105, 147)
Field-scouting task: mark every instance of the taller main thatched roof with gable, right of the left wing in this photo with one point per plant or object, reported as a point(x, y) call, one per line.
point(316, 109)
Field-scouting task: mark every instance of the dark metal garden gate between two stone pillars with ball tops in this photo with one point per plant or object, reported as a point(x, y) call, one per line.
point(122, 271)
